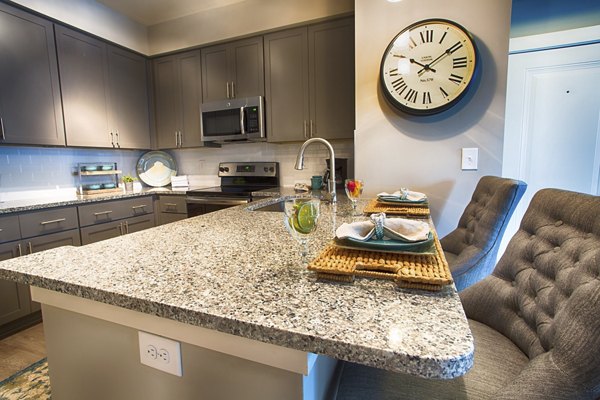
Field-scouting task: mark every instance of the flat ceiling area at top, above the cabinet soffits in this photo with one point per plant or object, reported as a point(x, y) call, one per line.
point(151, 12)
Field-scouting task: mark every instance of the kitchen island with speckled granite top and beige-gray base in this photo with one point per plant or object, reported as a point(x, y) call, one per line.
point(230, 283)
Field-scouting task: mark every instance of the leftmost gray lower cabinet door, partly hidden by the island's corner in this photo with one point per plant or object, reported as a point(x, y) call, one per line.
point(14, 297)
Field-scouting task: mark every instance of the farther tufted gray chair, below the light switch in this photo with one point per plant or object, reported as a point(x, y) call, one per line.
point(472, 248)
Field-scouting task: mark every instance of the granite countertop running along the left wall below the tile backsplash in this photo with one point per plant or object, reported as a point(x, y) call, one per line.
point(62, 200)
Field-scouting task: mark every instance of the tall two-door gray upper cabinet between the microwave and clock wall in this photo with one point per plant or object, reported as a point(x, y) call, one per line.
point(309, 82)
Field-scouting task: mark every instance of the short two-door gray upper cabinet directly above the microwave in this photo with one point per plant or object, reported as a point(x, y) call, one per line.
point(233, 70)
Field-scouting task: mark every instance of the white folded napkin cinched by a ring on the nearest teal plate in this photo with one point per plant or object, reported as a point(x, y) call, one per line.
point(405, 230)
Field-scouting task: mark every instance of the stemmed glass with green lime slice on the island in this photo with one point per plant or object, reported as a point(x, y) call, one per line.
point(301, 216)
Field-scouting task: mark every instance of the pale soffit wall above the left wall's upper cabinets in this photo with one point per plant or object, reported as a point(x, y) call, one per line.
point(94, 18)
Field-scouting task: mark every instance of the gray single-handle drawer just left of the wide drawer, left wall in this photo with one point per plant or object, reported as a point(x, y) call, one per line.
point(48, 221)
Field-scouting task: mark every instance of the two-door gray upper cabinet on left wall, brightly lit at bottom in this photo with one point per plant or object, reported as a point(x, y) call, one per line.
point(104, 91)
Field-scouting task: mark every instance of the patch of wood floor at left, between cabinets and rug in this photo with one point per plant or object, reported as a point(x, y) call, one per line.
point(21, 350)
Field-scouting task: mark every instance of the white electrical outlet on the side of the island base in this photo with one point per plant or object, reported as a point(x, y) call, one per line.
point(160, 353)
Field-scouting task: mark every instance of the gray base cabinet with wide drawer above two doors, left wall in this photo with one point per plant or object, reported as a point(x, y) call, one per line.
point(101, 221)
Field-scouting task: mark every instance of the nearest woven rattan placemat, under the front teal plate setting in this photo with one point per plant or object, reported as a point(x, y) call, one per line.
point(419, 271)
